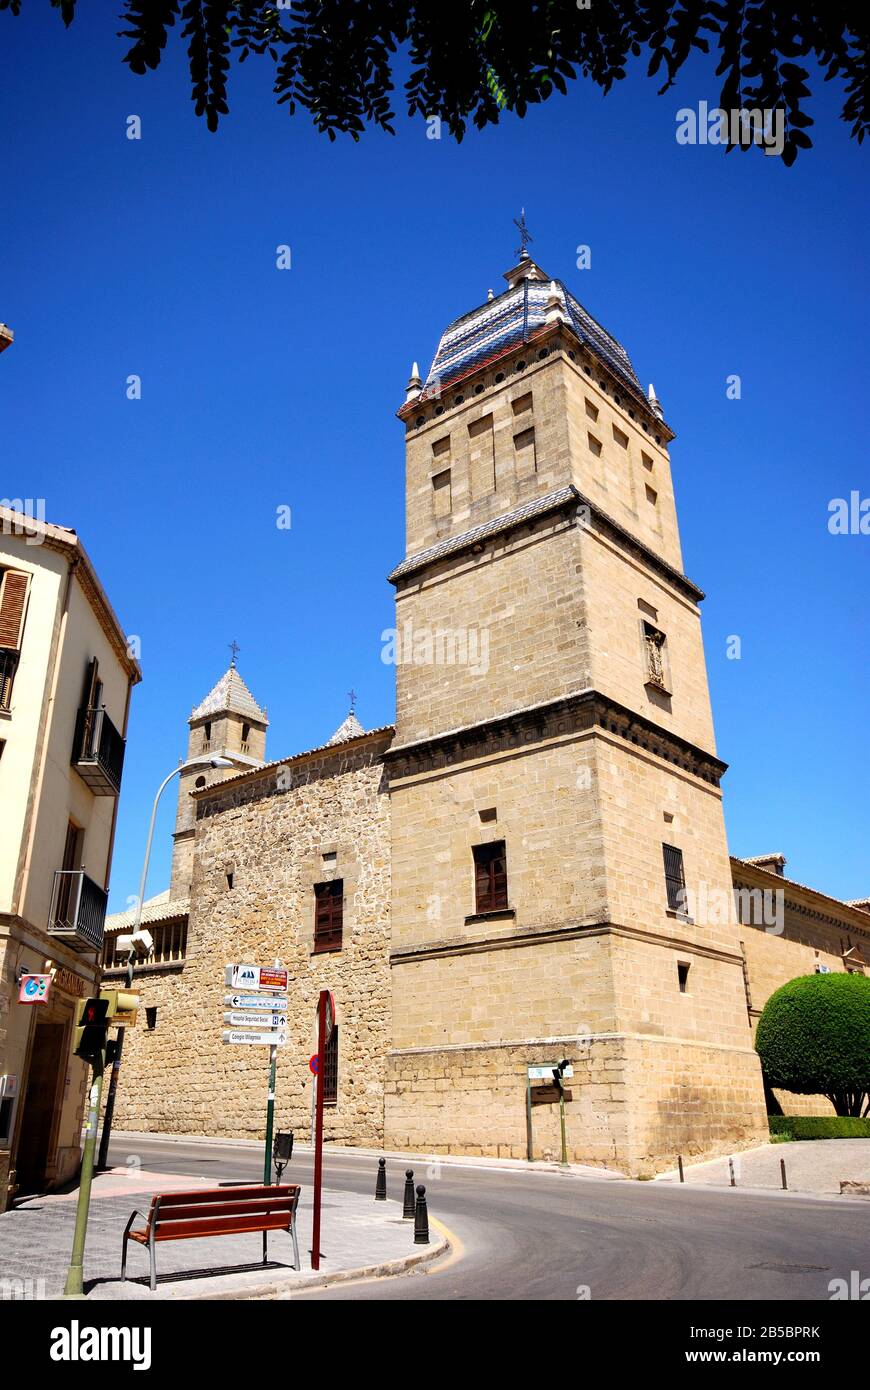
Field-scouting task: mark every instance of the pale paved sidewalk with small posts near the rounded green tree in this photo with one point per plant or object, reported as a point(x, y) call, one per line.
point(811, 1167)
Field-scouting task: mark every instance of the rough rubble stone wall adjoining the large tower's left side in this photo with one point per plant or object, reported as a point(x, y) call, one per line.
point(181, 1078)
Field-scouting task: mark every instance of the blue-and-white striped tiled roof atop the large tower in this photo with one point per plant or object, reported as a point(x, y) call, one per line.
point(508, 322)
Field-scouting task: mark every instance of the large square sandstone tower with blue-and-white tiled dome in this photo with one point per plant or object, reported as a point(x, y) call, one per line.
point(554, 779)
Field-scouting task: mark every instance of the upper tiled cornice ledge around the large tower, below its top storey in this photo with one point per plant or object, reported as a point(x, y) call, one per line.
point(569, 501)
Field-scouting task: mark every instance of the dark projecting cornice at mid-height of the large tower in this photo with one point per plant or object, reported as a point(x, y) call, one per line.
point(525, 728)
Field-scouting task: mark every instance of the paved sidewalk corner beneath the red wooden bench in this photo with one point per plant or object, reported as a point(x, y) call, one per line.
point(359, 1238)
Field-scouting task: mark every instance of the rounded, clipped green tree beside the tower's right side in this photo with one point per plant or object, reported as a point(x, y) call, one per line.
point(814, 1039)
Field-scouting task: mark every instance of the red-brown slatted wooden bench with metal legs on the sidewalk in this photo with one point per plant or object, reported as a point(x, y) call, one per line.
point(220, 1211)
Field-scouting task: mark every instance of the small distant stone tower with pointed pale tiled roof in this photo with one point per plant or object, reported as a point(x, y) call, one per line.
point(230, 725)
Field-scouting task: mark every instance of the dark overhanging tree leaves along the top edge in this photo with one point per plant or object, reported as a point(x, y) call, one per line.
point(473, 60)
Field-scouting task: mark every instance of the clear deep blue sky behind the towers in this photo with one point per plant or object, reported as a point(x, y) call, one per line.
point(263, 389)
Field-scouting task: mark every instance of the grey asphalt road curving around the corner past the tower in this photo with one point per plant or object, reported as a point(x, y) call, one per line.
point(552, 1236)
